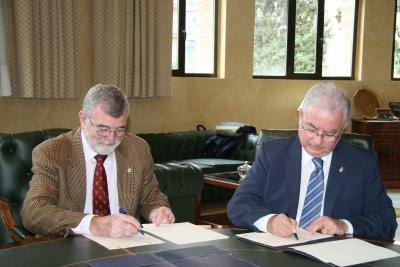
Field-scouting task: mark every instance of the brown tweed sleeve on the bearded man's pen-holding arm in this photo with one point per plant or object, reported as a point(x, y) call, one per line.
point(46, 210)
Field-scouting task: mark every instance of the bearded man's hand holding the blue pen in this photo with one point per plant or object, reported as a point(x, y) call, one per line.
point(115, 226)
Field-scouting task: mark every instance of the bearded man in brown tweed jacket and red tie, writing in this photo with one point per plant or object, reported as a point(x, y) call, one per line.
point(68, 194)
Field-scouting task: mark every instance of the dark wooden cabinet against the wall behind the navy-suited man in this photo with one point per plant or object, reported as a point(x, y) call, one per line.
point(386, 142)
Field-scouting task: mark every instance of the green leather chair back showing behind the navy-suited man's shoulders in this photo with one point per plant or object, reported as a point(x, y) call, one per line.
point(361, 140)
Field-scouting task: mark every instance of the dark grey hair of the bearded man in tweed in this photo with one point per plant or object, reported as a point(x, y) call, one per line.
point(111, 99)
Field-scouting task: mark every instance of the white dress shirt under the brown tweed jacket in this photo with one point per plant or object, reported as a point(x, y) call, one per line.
point(110, 165)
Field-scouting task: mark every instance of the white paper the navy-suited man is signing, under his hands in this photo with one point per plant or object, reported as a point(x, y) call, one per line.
point(270, 240)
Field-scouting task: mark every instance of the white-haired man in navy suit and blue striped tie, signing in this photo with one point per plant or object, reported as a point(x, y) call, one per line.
point(322, 182)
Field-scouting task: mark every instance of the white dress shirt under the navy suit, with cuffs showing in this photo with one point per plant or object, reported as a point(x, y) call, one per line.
point(307, 167)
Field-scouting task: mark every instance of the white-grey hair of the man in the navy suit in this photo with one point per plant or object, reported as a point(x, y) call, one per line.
point(329, 97)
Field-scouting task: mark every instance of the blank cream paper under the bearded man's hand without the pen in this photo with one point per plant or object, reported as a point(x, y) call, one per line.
point(183, 233)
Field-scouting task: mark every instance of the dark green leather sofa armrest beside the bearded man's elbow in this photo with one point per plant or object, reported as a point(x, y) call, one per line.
point(180, 182)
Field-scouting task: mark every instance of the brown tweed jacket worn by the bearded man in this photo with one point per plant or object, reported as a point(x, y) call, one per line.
point(56, 198)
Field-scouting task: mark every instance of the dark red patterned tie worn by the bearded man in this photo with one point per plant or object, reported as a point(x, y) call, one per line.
point(101, 204)
